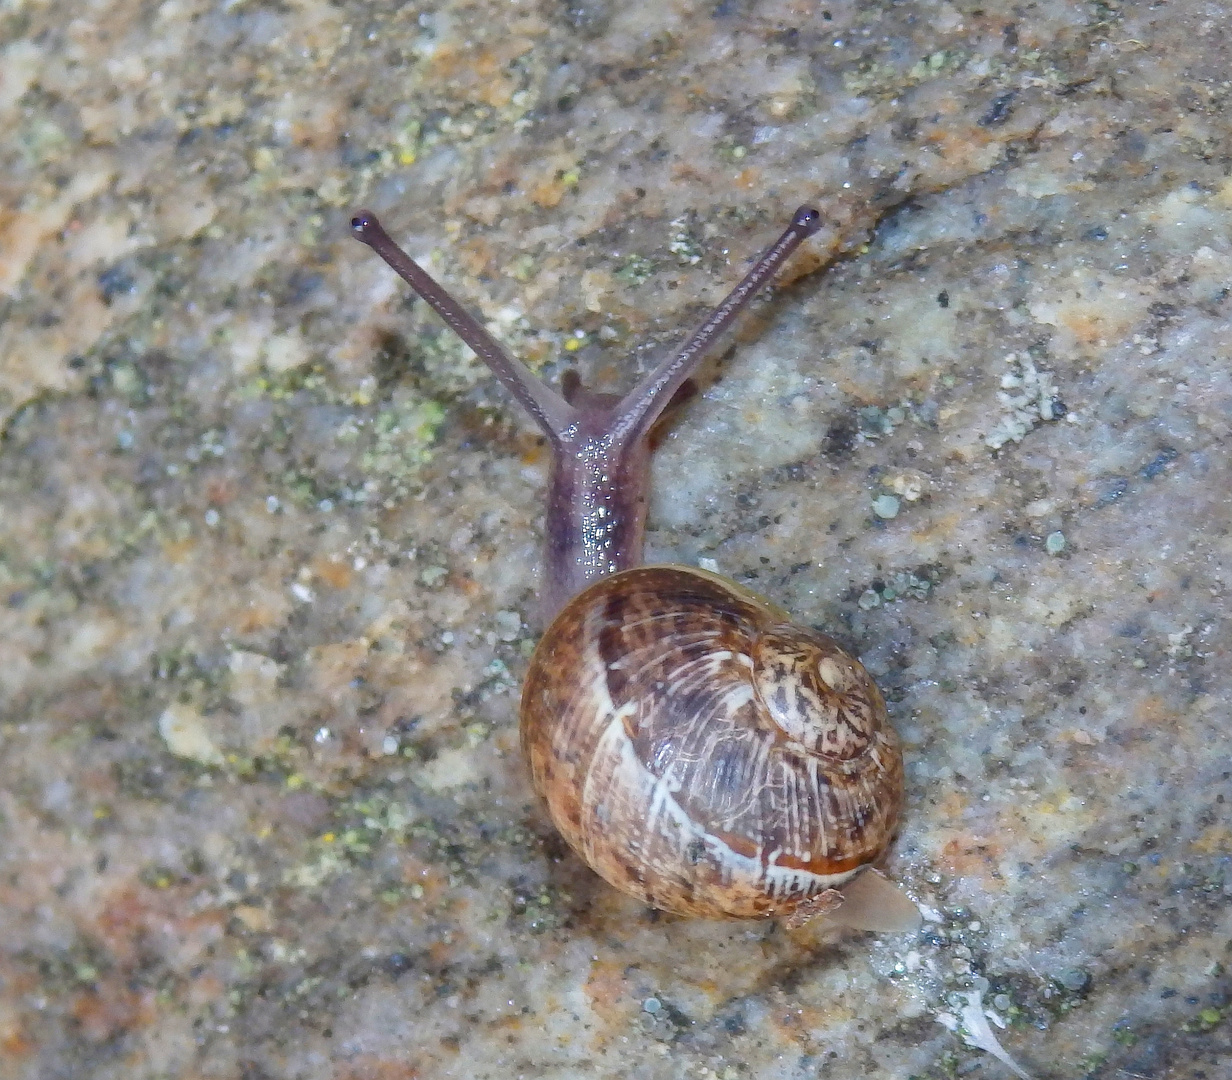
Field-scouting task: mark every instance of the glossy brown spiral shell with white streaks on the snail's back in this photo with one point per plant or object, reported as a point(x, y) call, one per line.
point(704, 754)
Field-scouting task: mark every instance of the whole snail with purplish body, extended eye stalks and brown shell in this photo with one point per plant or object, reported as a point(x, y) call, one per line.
point(695, 748)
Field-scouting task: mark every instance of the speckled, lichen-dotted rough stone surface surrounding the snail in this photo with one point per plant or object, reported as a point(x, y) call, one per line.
point(268, 533)
